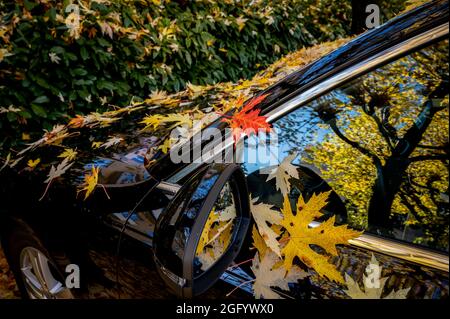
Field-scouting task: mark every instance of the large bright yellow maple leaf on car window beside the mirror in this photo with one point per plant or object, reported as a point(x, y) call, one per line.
point(301, 236)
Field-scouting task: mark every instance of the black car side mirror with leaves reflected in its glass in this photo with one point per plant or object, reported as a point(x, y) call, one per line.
point(202, 230)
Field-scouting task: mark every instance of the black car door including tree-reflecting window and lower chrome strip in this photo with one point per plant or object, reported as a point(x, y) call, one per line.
point(379, 145)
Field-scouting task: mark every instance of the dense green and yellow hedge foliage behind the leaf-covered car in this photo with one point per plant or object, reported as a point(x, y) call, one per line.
point(51, 67)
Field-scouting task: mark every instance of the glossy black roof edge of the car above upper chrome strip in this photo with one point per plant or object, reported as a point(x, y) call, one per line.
point(393, 32)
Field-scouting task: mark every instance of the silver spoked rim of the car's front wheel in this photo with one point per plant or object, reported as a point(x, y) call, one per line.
point(38, 274)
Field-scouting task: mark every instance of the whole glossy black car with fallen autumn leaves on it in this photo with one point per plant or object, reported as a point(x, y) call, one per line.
point(368, 124)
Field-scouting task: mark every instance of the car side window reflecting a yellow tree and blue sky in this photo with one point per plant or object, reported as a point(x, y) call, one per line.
point(380, 145)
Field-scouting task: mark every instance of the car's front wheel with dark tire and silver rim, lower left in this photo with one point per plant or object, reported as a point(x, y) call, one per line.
point(36, 273)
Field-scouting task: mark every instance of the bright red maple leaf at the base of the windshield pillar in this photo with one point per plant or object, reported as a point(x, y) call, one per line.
point(248, 120)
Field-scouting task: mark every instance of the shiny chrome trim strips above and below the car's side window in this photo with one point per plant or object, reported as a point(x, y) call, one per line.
point(393, 248)
